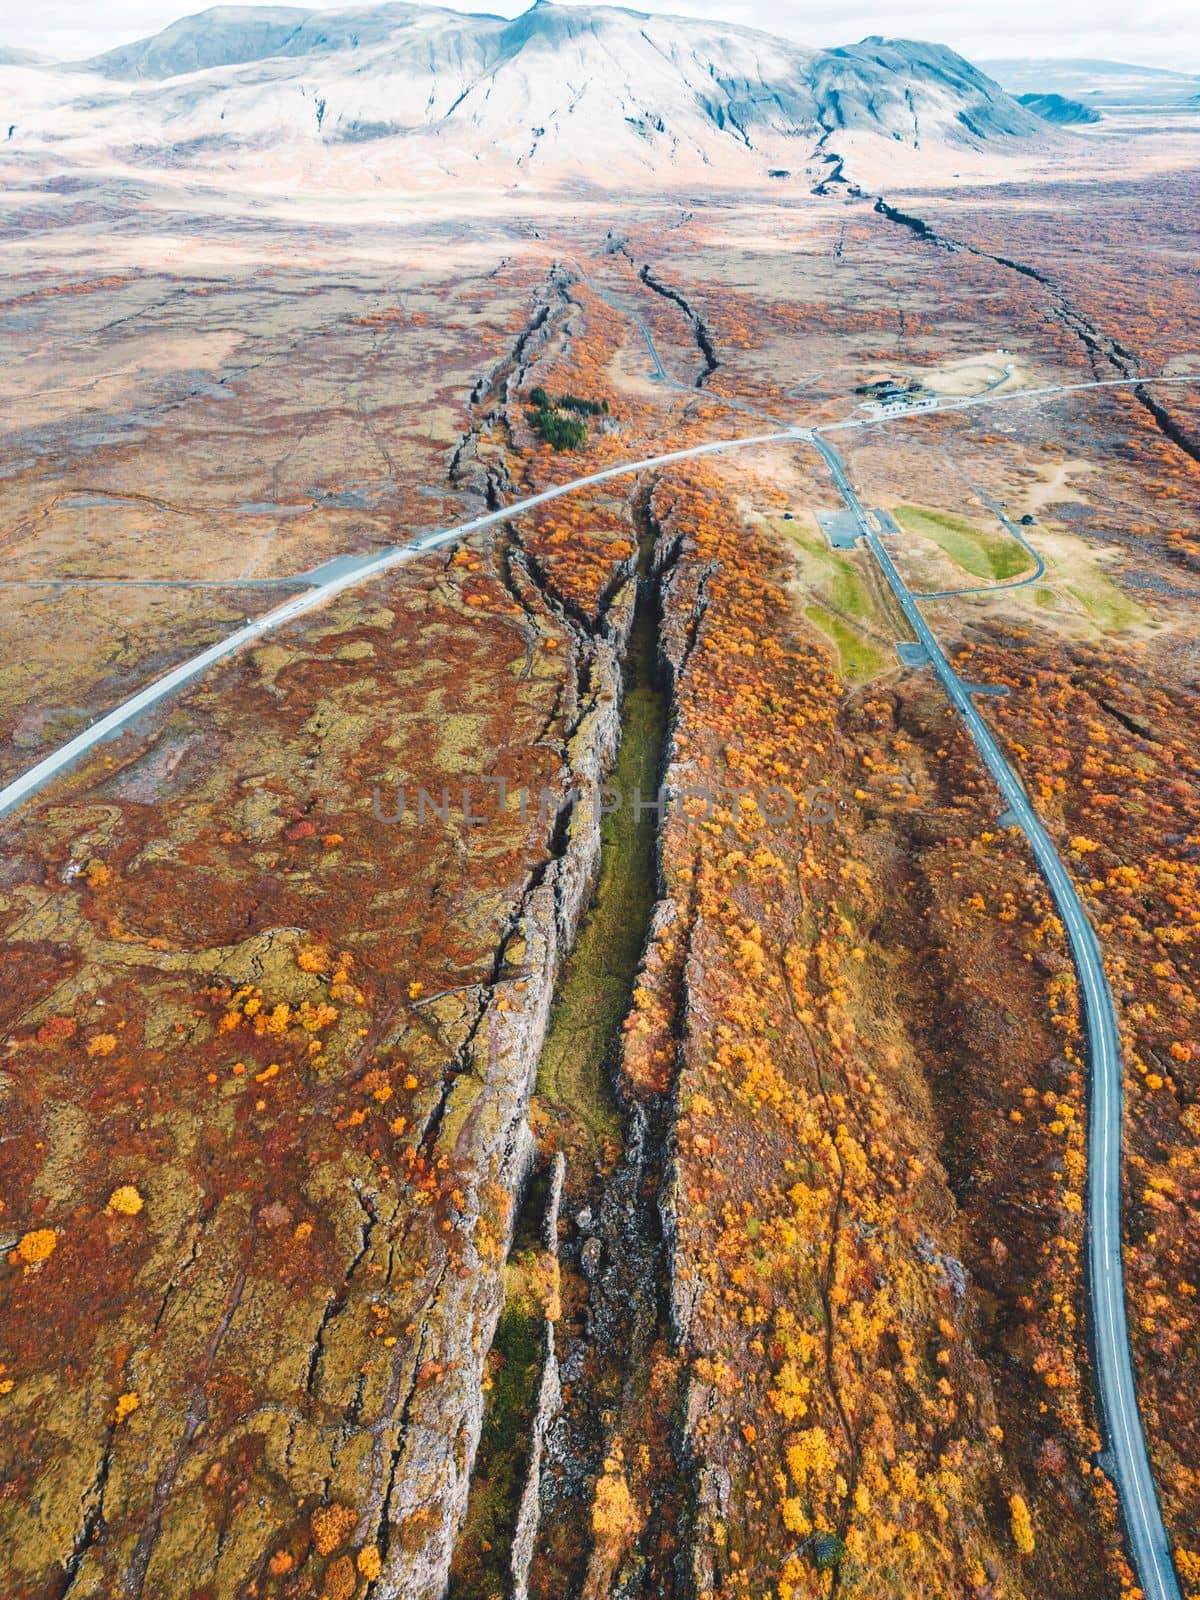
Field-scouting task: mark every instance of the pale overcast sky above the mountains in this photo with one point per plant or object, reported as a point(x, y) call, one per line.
point(1158, 33)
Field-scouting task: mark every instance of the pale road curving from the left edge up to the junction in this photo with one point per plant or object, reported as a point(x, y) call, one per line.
point(356, 574)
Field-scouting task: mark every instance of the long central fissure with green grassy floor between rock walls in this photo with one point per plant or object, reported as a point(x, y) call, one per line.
point(615, 1250)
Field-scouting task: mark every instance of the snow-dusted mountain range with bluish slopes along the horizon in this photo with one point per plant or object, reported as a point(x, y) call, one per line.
point(590, 92)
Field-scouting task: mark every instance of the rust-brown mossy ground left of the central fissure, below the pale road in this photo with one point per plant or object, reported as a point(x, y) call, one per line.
point(270, 1178)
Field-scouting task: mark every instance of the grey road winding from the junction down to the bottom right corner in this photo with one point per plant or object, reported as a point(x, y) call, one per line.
point(1127, 1460)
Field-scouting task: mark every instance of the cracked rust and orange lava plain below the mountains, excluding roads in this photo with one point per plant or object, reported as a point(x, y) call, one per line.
point(498, 1199)
